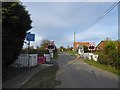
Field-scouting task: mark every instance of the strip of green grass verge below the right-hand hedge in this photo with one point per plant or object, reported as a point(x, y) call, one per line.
point(104, 67)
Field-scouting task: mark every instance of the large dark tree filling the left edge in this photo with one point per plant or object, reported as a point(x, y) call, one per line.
point(15, 23)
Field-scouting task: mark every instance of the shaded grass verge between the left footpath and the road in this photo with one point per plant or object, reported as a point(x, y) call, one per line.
point(43, 79)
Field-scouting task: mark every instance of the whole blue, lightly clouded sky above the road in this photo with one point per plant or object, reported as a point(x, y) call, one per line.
point(58, 20)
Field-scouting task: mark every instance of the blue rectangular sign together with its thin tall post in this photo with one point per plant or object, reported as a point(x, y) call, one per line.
point(29, 37)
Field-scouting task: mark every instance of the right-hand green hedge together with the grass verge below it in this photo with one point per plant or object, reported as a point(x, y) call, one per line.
point(109, 58)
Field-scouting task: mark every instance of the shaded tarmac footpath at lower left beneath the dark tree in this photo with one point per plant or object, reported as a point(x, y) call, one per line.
point(18, 76)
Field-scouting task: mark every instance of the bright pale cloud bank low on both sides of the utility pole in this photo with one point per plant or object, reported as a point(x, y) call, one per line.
point(94, 34)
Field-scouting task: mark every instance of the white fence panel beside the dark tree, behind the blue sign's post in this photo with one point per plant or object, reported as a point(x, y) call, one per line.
point(25, 60)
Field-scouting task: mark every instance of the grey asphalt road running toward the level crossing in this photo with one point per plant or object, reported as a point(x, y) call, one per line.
point(75, 73)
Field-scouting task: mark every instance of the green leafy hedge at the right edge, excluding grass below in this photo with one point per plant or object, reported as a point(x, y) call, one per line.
point(110, 55)
